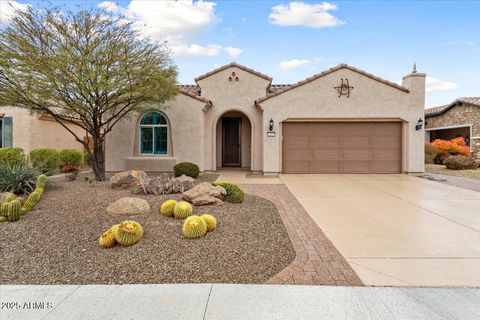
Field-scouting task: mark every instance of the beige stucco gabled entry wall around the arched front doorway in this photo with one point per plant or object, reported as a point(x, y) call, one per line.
point(233, 96)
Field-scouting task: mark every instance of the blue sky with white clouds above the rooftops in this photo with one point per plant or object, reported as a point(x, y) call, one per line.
point(292, 40)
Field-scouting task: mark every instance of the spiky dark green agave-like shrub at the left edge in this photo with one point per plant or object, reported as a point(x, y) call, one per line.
point(18, 178)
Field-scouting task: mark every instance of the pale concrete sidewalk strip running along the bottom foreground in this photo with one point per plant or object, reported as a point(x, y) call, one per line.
point(226, 302)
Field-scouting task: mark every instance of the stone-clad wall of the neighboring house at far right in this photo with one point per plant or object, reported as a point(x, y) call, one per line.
point(457, 116)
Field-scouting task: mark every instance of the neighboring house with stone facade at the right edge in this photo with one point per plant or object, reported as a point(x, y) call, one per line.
point(461, 118)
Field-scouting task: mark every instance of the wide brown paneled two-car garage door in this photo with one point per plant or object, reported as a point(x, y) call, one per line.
point(342, 147)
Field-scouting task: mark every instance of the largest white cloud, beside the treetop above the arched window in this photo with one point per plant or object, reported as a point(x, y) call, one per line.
point(177, 22)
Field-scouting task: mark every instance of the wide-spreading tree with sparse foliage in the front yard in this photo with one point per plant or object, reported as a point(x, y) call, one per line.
point(87, 68)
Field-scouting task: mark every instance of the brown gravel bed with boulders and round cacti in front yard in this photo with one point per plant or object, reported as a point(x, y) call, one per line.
point(57, 243)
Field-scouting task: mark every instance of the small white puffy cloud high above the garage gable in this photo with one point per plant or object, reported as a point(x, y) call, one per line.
point(305, 14)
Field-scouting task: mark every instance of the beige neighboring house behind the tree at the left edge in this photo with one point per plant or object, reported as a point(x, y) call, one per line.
point(20, 129)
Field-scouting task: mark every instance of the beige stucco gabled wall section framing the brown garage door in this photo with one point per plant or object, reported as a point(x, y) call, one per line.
point(369, 100)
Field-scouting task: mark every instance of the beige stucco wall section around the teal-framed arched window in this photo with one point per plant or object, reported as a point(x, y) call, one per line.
point(185, 117)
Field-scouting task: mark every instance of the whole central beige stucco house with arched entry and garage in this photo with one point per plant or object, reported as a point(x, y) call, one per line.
point(235, 117)
